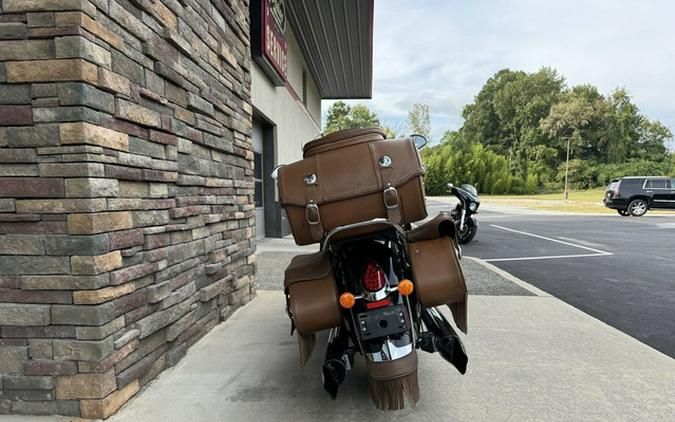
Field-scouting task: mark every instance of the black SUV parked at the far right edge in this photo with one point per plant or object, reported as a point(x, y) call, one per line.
point(635, 195)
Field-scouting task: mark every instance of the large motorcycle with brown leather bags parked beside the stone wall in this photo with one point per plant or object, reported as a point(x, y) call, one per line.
point(376, 282)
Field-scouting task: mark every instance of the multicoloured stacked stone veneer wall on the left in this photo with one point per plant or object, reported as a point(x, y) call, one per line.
point(126, 193)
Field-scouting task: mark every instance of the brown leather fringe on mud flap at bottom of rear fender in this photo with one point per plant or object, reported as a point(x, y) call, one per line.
point(390, 394)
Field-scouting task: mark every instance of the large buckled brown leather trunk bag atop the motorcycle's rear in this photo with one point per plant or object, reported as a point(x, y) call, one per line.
point(348, 177)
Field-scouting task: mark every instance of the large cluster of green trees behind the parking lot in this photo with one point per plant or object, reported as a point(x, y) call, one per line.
point(515, 135)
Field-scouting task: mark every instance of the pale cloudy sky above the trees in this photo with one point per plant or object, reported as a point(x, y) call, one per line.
point(441, 53)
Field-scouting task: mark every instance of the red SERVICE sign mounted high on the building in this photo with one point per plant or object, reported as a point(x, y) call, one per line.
point(269, 44)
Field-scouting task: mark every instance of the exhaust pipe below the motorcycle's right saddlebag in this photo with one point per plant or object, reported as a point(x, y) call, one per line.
point(446, 341)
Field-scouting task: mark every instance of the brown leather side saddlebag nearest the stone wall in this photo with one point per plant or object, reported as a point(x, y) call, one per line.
point(312, 298)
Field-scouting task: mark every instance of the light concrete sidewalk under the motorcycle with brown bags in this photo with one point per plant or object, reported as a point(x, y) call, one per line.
point(531, 357)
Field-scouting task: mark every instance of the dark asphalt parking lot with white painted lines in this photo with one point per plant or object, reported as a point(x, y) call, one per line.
point(620, 270)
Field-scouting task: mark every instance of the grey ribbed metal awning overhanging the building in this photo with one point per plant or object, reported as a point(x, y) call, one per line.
point(336, 38)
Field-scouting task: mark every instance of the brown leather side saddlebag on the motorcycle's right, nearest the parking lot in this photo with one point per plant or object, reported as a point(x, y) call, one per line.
point(437, 274)
